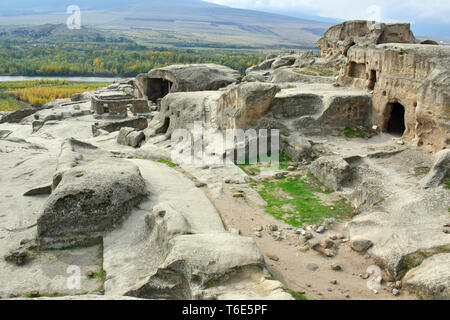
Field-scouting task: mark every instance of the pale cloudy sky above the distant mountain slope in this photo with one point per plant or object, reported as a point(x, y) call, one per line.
point(434, 11)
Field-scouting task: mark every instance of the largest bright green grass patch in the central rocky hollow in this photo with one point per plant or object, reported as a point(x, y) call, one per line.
point(296, 201)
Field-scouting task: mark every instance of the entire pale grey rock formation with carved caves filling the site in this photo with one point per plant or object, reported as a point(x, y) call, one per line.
point(358, 121)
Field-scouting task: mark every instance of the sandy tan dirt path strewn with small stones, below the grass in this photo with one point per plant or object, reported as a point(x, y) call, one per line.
point(294, 268)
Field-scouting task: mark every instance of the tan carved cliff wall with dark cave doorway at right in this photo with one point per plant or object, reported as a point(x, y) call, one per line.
point(416, 77)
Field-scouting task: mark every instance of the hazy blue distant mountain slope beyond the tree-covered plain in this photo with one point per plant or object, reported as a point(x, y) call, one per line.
point(173, 22)
